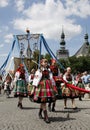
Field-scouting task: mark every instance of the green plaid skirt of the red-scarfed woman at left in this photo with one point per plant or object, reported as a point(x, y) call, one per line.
point(20, 88)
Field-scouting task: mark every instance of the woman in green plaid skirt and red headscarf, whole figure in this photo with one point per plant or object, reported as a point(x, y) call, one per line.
point(20, 89)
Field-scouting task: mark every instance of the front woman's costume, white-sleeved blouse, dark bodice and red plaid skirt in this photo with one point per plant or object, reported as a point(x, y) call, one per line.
point(43, 82)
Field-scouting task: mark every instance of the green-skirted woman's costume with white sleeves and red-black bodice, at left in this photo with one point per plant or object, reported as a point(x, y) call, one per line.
point(20, 88)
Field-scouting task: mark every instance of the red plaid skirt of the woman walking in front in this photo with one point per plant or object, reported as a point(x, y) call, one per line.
point(45, 92)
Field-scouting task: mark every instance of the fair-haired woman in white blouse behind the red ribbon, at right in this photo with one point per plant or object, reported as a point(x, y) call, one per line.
point(67, 92)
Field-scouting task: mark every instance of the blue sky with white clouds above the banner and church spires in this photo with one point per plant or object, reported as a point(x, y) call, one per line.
point(47, 17)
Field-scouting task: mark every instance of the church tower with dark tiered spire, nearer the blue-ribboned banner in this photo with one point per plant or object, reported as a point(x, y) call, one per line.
point(62, 53)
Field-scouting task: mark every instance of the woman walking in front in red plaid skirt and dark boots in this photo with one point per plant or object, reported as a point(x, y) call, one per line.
point(43, 83)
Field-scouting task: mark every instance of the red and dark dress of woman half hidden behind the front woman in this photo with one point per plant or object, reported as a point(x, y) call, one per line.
point(56, 75)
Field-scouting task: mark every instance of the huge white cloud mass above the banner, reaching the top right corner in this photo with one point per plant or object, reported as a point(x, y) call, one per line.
point(48, 18)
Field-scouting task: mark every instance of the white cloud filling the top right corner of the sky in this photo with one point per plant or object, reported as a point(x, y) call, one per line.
point(78, 7)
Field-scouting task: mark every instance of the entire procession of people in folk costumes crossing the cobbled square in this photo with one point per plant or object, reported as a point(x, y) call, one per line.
point(45, 86)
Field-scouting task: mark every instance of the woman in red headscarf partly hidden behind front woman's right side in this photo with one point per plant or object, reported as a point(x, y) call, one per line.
point(56, 75)
